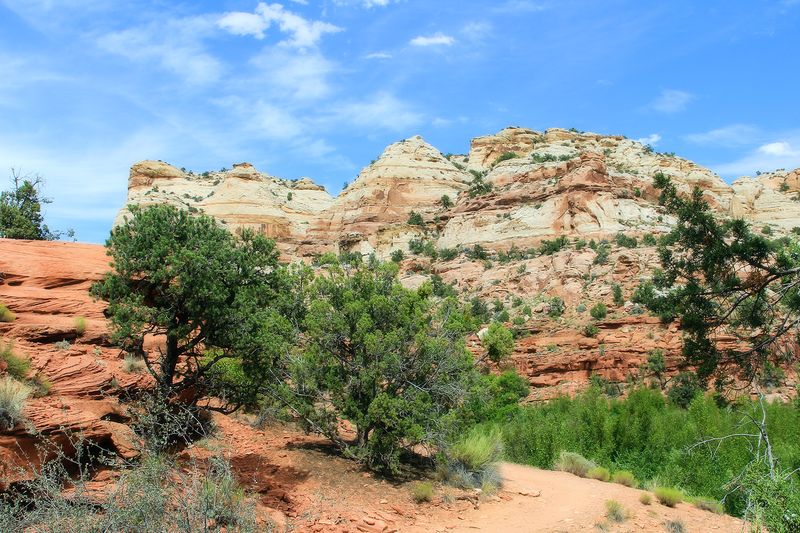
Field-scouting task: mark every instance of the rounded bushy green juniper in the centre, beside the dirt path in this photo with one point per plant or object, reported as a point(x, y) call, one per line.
point(381, 357)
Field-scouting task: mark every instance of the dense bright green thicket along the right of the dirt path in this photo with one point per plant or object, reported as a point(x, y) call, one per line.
point(651, 438)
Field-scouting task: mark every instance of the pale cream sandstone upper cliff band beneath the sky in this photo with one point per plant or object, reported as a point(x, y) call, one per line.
point(546, 184)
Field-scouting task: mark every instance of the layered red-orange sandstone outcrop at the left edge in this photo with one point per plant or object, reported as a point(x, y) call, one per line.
point(46, 285)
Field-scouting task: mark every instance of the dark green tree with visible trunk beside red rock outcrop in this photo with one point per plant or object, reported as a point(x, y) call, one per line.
point(206, 293)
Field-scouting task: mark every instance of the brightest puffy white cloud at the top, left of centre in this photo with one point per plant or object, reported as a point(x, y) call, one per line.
point(303, 33)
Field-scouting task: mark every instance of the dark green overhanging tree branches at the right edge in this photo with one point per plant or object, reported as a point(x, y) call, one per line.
point(721, 279)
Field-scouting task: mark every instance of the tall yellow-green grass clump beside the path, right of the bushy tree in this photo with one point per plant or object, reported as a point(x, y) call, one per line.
point(471, 462)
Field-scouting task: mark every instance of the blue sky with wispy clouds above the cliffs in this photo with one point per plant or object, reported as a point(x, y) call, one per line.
point(319, 87)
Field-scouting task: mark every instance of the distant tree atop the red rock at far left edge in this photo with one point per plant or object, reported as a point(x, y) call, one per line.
point(21, 210)
